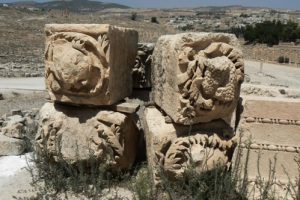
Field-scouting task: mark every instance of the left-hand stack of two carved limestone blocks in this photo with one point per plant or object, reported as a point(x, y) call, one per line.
point(88, 65)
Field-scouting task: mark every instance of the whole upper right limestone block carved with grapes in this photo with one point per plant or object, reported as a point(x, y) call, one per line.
point(196, 77)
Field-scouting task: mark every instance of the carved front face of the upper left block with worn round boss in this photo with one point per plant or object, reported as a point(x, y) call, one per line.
point(76, 63)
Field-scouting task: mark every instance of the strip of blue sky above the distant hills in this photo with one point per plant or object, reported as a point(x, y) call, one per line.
point(287, 4)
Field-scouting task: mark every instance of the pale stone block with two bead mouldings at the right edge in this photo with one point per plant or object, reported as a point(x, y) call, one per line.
point(270, 133)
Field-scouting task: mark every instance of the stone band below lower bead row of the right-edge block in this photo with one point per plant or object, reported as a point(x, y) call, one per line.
point(260, 166)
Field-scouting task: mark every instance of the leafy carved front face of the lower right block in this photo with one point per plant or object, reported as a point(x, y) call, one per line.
point(199, 150)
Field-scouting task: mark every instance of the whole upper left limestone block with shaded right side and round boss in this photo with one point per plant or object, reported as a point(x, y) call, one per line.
point(89, 63)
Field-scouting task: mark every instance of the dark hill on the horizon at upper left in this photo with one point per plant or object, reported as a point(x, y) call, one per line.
point(72, 5)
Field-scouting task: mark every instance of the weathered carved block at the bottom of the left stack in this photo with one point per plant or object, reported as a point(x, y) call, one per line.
point(79, 134)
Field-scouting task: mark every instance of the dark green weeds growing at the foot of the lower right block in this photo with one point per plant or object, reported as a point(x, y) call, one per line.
point(217, 184)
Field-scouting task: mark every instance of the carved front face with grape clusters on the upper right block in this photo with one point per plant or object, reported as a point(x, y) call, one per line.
point(209, 78)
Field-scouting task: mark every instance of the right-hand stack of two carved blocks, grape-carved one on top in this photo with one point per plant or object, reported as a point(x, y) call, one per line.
point(196, 79)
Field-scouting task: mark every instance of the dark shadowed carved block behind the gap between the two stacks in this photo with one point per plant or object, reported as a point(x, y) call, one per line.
point(141, 73)
